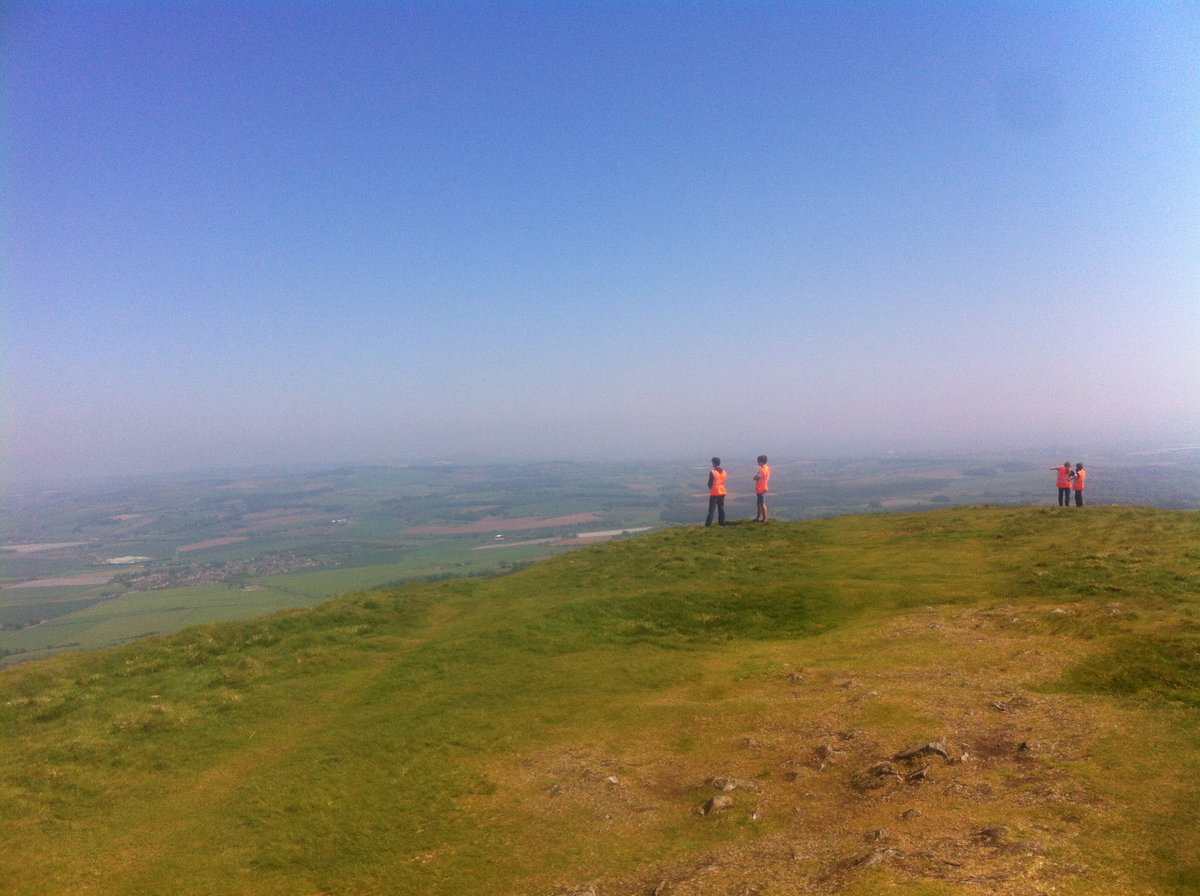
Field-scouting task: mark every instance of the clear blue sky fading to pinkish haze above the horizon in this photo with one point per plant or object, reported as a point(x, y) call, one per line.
point(245, 233)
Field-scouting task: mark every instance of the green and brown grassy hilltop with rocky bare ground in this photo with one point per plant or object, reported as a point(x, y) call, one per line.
point(969, 701)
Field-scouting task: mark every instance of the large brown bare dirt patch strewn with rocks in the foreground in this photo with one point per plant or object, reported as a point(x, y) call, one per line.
point(835, 792)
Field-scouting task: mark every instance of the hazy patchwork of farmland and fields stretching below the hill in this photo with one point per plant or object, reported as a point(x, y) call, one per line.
point(100, 566)
